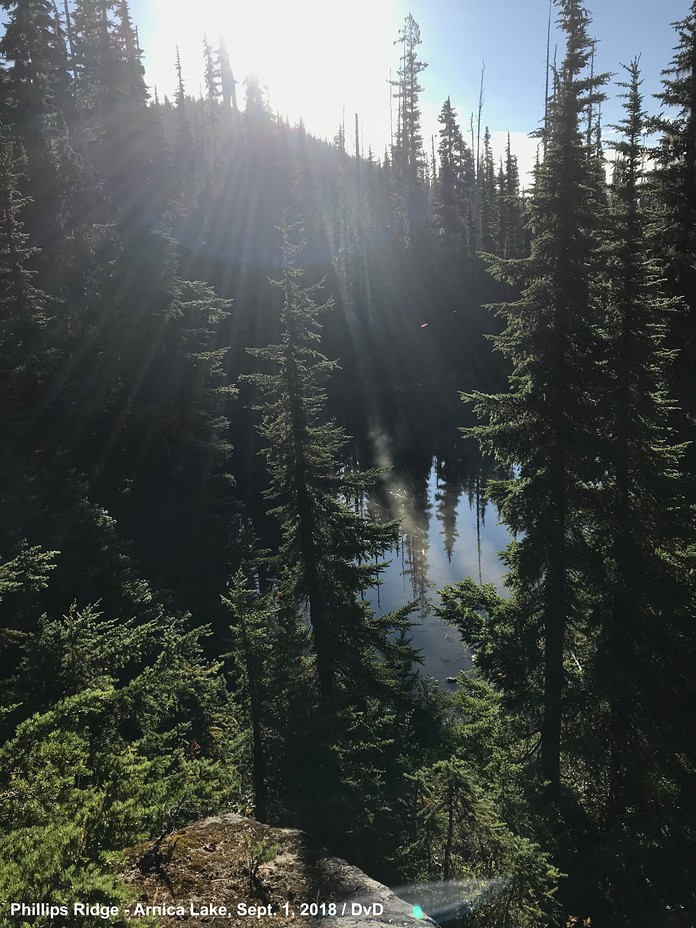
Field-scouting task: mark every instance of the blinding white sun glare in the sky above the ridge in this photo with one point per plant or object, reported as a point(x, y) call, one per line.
point(316, 57)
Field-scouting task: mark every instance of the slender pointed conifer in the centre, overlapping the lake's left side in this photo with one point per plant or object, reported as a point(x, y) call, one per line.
point(327, 558)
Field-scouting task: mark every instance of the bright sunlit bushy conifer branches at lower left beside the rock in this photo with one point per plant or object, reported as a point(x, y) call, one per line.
point(126, 723)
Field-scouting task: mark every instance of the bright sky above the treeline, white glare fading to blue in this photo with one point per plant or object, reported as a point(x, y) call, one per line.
point(323, 55)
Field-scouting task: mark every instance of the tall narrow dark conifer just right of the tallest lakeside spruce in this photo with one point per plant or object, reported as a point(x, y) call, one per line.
point(644, 489)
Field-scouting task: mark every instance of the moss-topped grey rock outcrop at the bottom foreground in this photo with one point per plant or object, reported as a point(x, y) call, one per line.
point(232, 871)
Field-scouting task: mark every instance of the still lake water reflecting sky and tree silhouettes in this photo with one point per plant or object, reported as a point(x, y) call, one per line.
point(432, 482)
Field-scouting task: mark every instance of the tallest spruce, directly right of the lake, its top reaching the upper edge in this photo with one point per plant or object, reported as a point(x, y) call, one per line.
point(545, 425)
